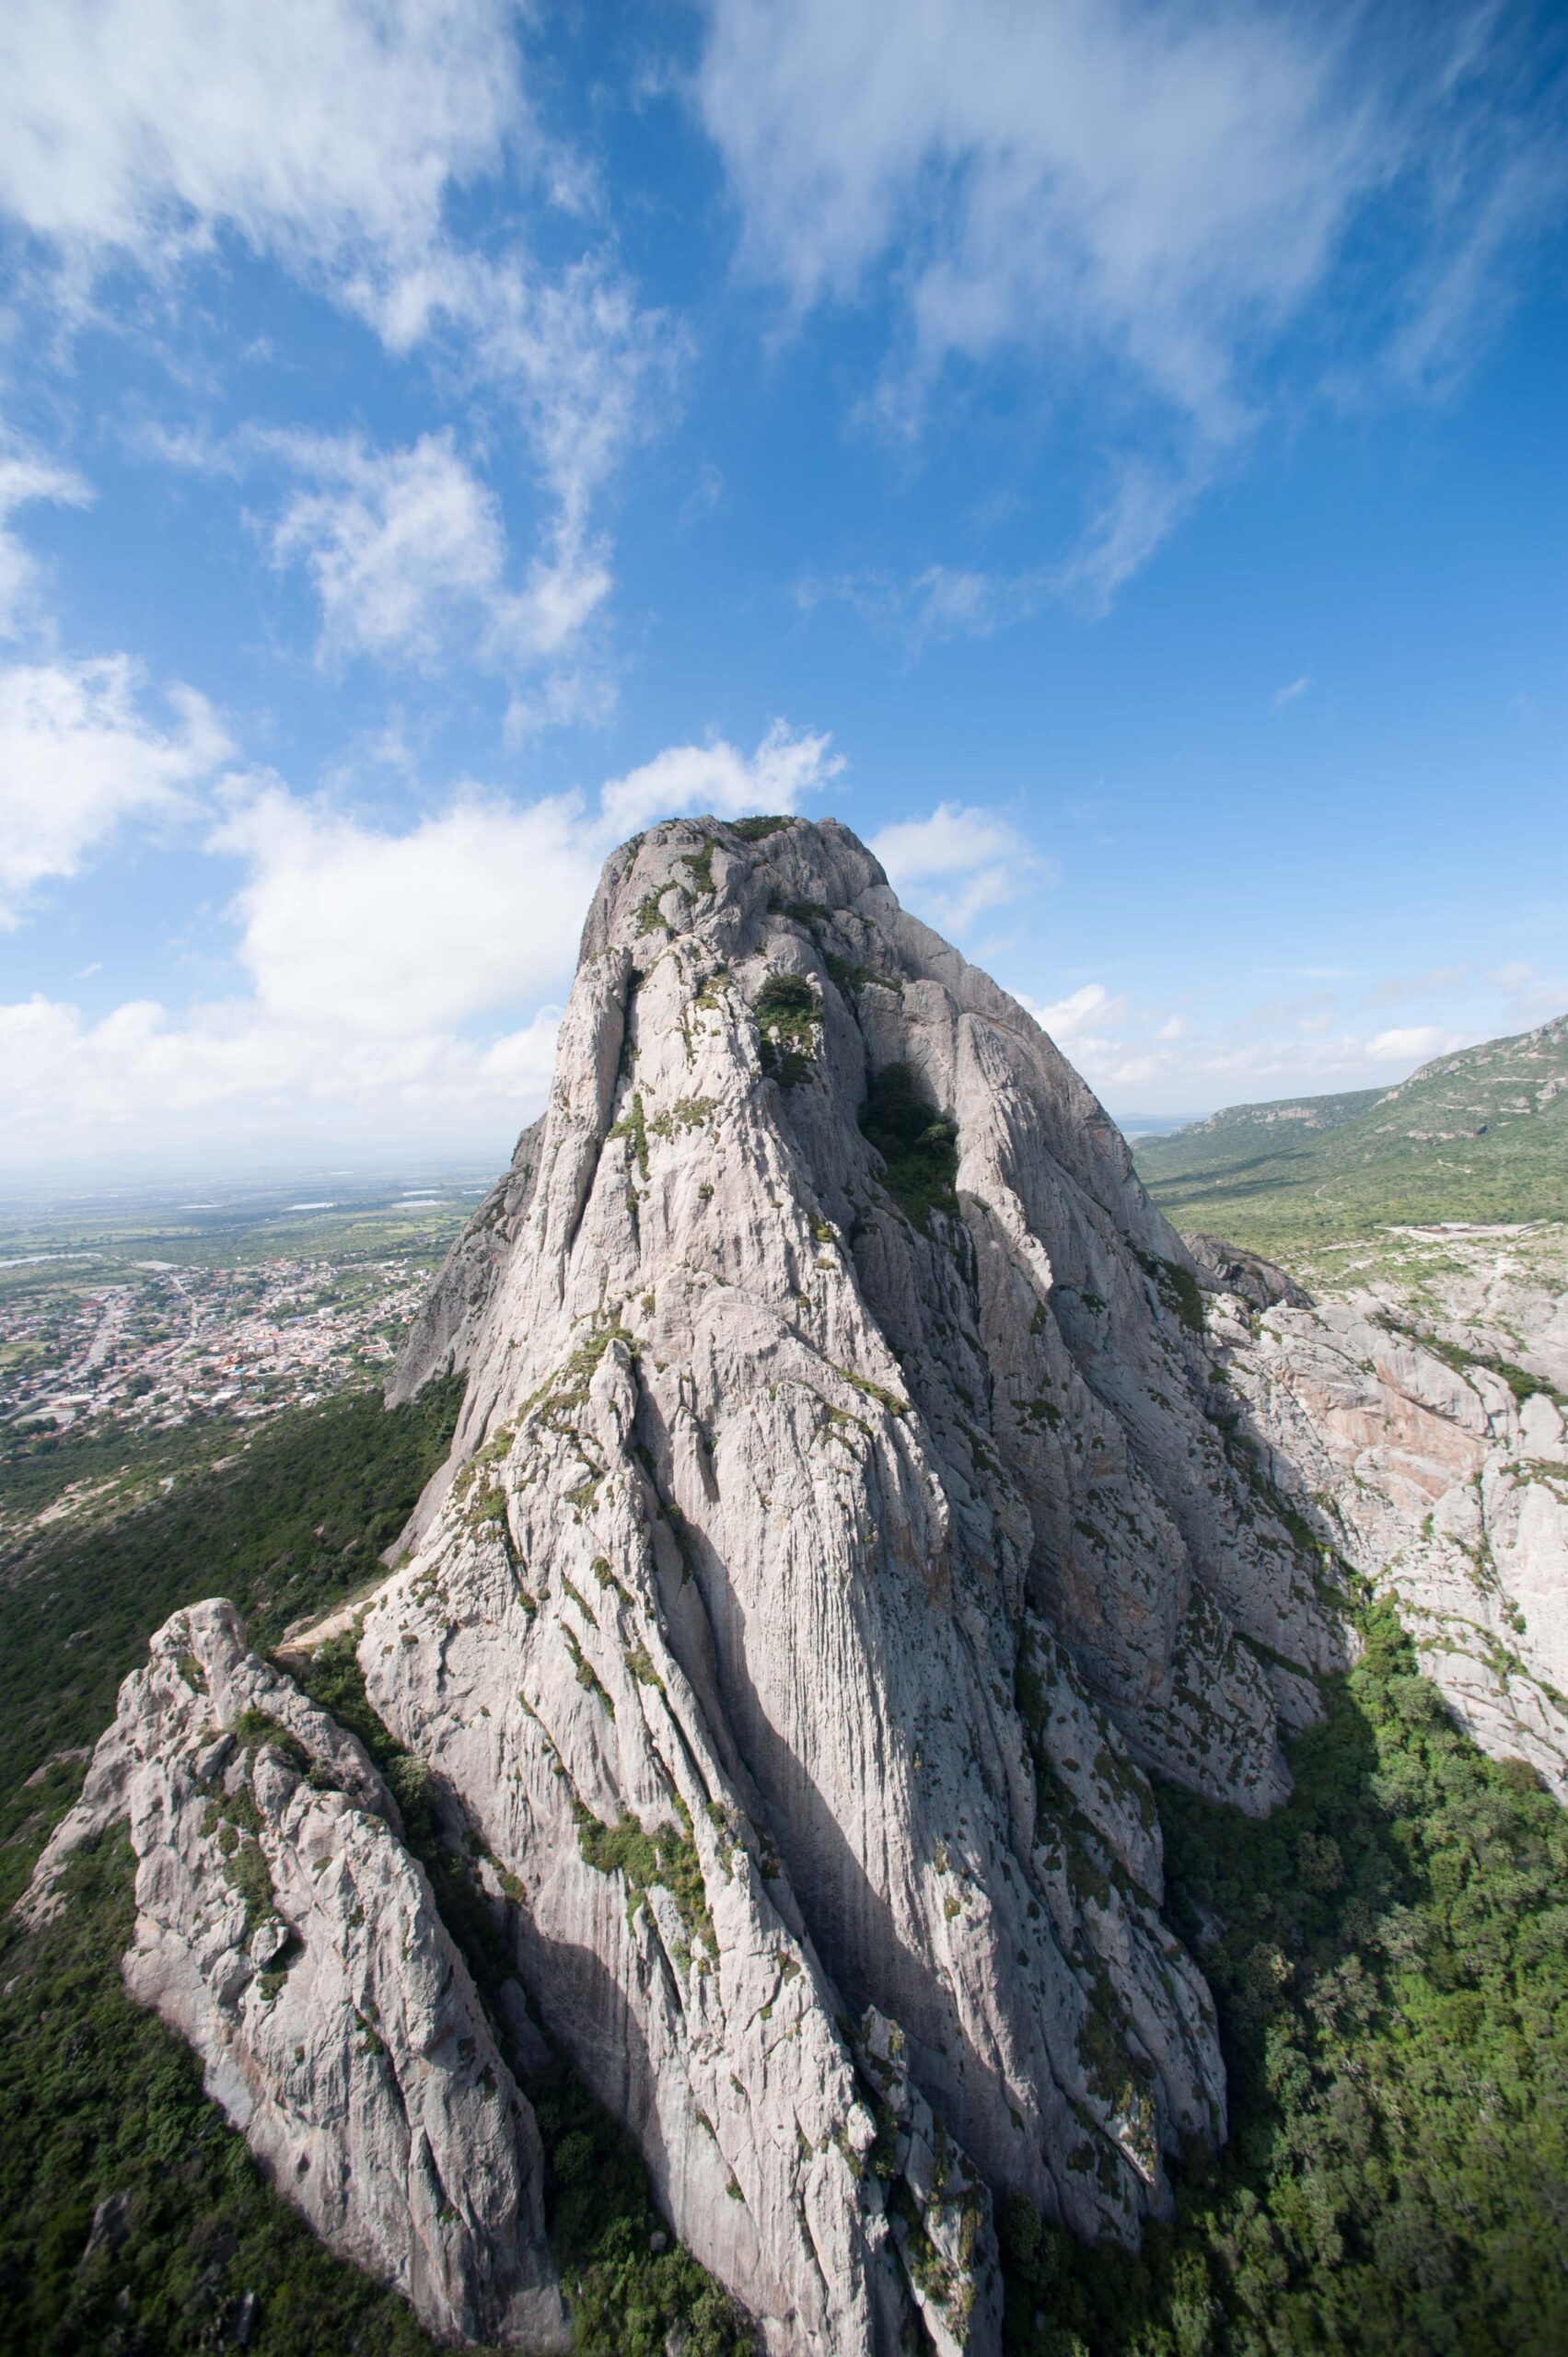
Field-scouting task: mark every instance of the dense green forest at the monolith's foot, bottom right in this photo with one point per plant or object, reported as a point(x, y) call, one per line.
point(1390, 1955)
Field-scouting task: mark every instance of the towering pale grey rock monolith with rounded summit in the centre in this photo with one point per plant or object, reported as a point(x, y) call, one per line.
point(812, 1585)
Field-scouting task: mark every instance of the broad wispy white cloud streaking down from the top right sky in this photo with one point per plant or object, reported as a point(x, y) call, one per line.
point(1128, 194)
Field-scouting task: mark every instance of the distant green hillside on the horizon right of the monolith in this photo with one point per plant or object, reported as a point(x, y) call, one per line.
point(1470, 1137)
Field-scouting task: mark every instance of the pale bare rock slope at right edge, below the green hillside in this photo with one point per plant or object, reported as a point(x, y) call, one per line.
point(1425, 1434)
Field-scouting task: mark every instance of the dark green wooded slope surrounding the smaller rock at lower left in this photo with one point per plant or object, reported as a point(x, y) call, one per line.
point(98, 2097)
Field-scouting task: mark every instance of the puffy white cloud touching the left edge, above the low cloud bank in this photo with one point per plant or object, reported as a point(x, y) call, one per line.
point(79, 755)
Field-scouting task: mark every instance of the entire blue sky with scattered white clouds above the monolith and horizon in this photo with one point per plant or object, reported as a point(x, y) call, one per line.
point(1112, 456)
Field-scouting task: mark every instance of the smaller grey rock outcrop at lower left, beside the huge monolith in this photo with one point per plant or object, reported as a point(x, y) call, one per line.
point(291, 1939)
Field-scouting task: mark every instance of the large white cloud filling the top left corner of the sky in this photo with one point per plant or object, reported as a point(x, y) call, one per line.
point(324, 131)
